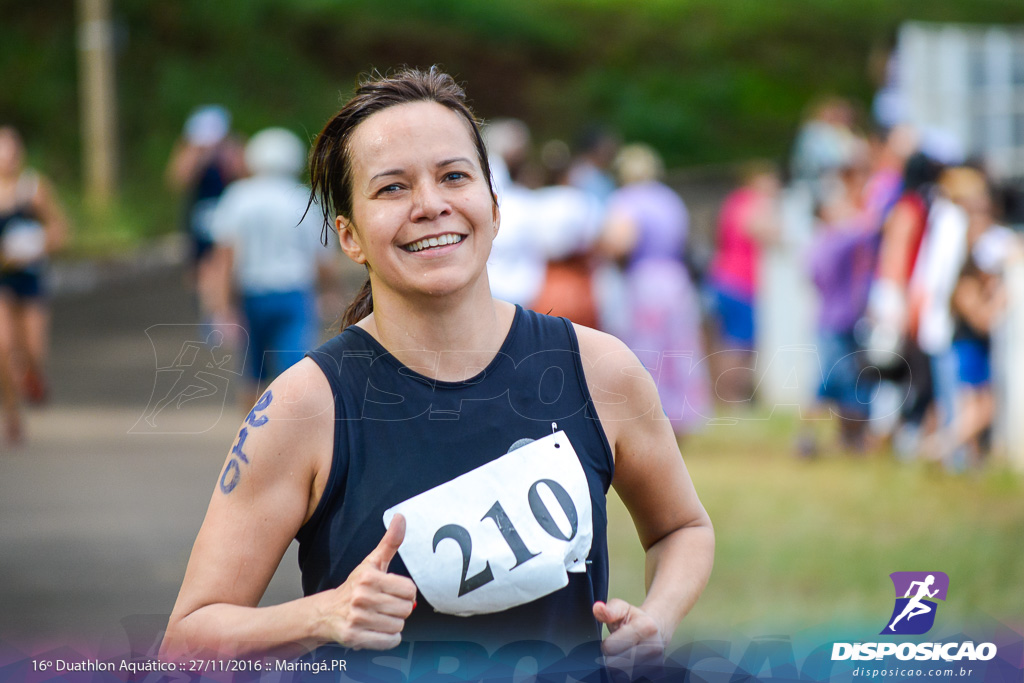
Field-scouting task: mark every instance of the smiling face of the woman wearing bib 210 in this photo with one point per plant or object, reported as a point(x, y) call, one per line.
point(423, 218)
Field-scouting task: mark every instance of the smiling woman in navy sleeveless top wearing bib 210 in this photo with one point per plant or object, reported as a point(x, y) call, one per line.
point(447, 450)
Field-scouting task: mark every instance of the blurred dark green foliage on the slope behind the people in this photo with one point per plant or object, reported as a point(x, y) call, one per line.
point(703, 80)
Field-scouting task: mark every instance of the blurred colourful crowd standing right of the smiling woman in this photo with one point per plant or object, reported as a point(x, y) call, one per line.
point(907, 255)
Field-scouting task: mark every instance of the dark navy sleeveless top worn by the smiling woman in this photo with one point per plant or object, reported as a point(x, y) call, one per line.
point(399, 434)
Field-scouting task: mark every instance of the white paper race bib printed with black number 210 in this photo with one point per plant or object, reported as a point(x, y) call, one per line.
point(503, 535)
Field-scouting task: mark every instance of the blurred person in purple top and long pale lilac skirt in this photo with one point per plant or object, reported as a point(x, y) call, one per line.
point(647, 230)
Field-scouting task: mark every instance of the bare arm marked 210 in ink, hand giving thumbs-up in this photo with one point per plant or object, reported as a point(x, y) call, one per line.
point(270, 487)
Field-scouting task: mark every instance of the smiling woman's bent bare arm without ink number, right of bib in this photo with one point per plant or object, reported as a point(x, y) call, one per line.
point(653, 482)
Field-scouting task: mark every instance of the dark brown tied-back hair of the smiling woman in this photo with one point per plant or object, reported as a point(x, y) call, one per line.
point(330, 160)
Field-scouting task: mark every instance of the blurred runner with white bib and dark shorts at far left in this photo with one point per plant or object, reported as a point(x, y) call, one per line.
point(32, 227)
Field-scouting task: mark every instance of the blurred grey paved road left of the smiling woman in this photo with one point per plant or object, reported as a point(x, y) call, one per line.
point(100, 510)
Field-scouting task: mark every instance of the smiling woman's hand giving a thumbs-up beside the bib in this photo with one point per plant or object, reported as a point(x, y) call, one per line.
point(369, 611)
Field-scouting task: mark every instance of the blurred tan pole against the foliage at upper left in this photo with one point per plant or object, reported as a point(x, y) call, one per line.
point(99, 105)
